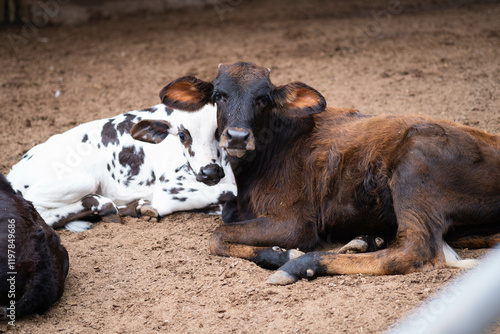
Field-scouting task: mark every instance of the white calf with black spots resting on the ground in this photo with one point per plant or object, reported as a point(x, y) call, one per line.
point(99, 169)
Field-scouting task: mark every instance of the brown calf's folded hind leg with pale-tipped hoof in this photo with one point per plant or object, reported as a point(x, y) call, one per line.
point(418, 246)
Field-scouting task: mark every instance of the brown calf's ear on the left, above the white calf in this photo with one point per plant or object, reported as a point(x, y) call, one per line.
point(187, 93)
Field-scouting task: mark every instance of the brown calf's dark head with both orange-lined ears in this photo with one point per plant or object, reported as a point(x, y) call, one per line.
point(246, 102)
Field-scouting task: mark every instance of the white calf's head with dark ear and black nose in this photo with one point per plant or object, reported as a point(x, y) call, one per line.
point(196, 132)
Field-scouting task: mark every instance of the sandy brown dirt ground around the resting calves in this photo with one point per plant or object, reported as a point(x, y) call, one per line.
point(435, 58)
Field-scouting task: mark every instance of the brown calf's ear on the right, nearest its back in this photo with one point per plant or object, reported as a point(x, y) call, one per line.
point(298, 100)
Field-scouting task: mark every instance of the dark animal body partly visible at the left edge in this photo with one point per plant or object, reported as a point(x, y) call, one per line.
point(33, 262)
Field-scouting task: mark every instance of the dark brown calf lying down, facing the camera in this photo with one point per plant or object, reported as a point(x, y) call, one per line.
point(305, 172)
